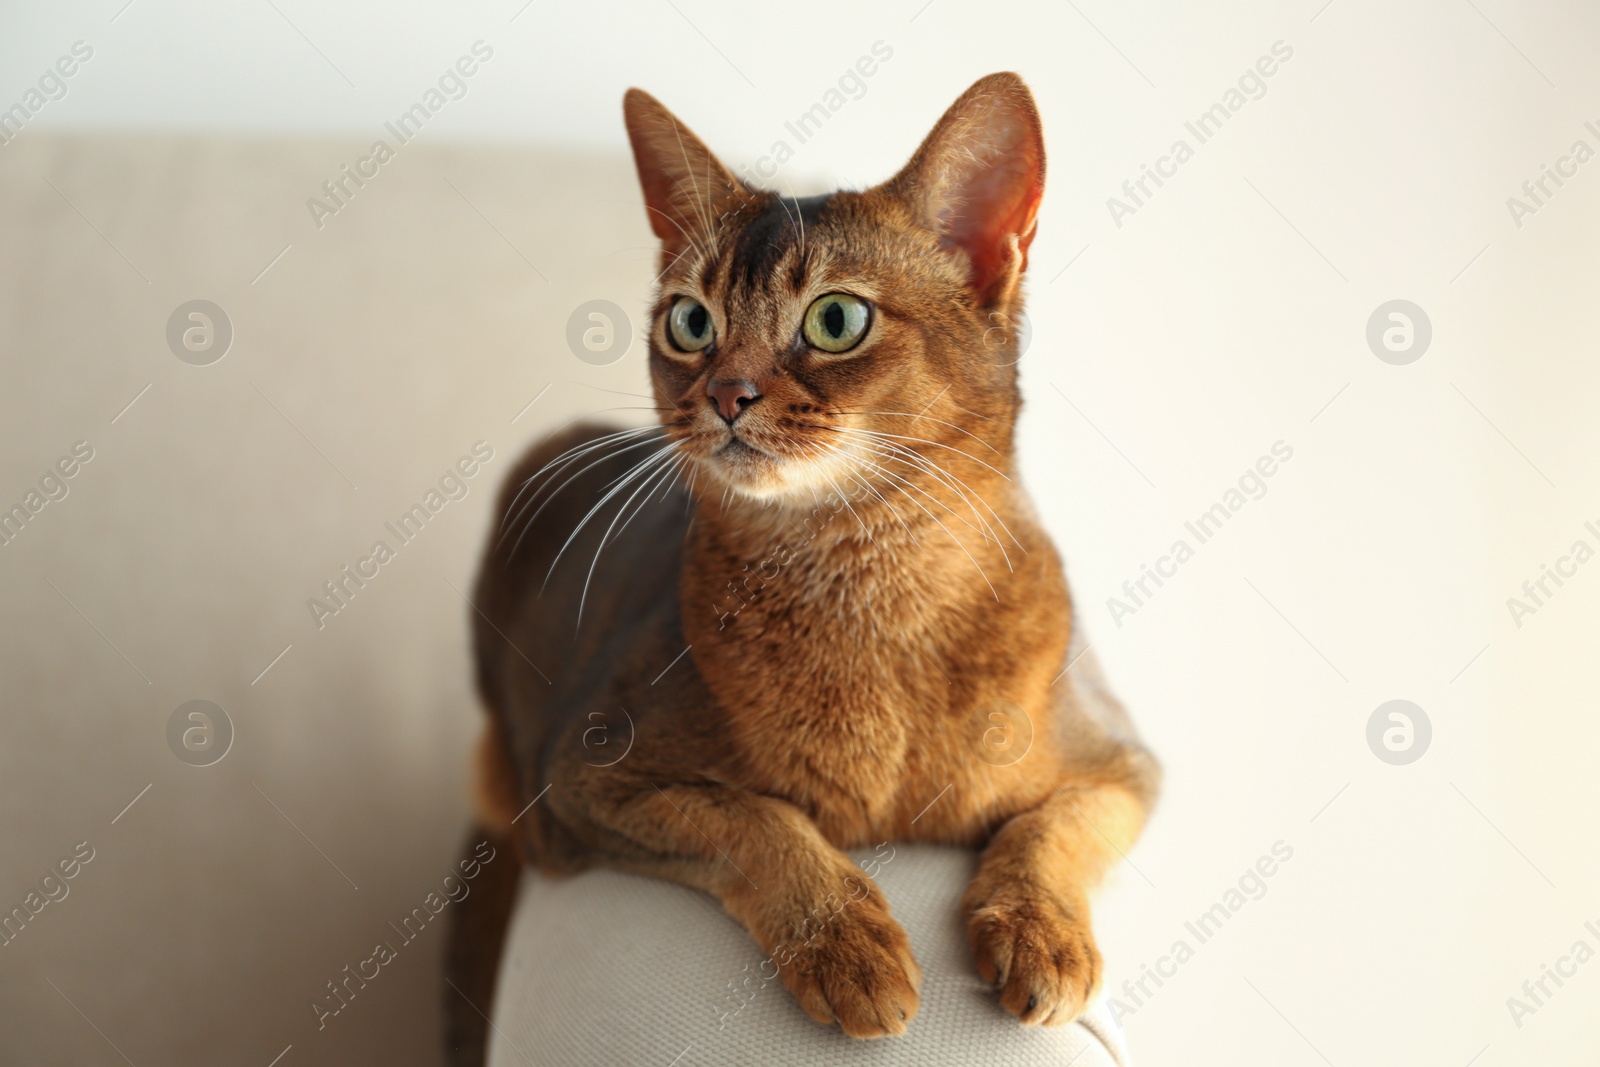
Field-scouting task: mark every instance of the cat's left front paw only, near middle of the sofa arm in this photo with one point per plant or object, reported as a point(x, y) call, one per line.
point(857, 970)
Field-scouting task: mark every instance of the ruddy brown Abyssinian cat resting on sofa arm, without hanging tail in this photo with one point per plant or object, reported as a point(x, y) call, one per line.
point(815, 597)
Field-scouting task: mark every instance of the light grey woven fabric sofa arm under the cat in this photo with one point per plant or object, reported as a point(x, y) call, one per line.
point(610, 970)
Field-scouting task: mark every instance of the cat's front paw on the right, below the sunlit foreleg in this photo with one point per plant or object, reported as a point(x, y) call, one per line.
point(1039, 954)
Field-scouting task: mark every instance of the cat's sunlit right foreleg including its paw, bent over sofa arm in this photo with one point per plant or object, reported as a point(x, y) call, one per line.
point(1028, 914)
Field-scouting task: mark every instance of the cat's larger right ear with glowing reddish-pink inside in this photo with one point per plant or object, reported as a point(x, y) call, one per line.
point(978, 180)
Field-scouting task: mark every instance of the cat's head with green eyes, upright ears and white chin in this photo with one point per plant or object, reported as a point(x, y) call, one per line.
point(794, 345)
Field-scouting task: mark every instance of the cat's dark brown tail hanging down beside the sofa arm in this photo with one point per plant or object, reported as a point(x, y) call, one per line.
point(478, 935)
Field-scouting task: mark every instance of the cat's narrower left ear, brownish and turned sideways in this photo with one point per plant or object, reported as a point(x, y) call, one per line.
point(687, 190)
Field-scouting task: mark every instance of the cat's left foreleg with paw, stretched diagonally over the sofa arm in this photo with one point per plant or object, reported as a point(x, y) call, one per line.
point(822, 922)
